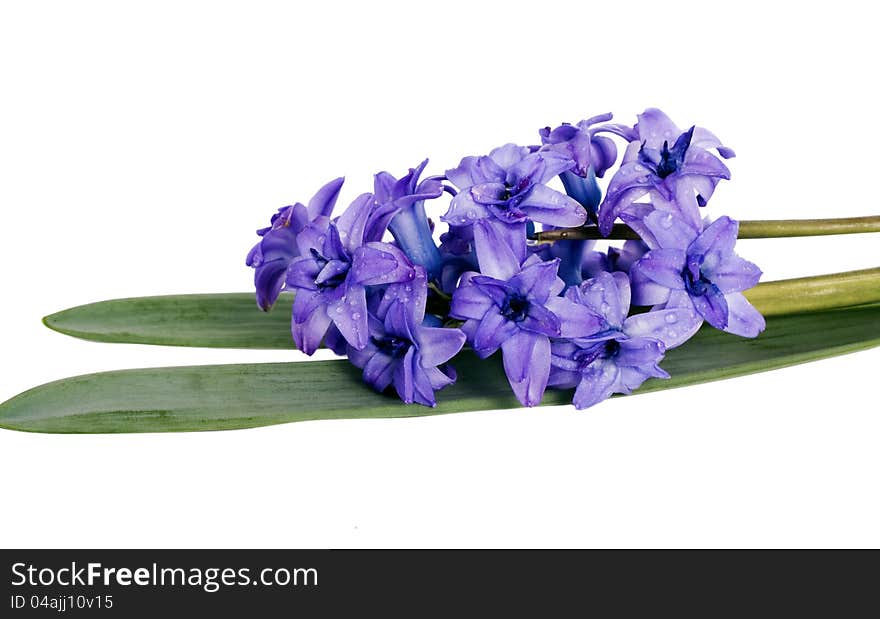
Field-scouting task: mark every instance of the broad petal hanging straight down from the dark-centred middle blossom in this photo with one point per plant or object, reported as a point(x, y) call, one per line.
point(526, 359)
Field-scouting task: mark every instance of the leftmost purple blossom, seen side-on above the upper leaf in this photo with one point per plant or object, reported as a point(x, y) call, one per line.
point(271, 256)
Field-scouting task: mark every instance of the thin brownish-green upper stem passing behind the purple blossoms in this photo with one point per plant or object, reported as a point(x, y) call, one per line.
point(756, 229)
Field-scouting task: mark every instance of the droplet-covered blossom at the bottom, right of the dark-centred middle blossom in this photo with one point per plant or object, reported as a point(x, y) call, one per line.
point(623, 352)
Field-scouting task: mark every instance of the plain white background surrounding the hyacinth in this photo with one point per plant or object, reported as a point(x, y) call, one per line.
point(142, 143)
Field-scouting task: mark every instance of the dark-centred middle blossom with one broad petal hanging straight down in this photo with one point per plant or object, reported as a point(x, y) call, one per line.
point(515, 307)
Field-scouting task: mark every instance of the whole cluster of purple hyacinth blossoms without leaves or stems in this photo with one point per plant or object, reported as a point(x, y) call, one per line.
point(373, 284)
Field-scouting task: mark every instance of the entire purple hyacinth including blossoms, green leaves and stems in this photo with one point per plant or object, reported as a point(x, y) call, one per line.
point(558, 312)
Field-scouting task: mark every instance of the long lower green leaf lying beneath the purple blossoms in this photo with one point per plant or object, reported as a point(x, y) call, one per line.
point(243, 396)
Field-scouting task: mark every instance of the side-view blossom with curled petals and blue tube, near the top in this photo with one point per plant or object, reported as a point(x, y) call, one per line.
point(592, 154)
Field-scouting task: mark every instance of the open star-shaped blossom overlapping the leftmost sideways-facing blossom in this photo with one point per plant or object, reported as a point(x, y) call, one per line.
point(331, 272)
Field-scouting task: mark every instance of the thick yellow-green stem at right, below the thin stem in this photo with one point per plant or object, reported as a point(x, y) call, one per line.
point(821, 292)
